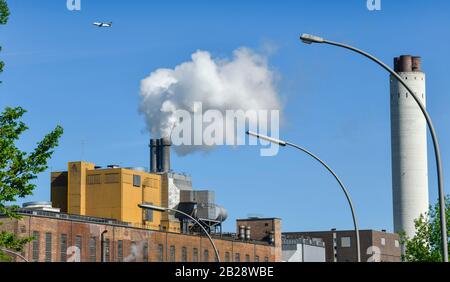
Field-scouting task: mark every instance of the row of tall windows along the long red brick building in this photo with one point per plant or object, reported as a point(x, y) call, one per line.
point(92, 248)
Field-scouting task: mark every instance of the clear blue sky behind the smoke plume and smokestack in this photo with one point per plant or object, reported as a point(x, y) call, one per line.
point(65, 71)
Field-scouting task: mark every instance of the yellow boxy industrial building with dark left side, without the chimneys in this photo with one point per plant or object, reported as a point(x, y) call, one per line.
point(112, 192)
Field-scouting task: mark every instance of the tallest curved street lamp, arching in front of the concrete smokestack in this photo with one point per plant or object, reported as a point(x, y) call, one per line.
point(309, 39)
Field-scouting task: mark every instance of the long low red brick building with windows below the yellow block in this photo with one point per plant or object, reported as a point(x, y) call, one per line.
point(62, 237)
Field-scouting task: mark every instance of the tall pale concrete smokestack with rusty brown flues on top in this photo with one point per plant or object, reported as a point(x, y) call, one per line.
point(409, 146)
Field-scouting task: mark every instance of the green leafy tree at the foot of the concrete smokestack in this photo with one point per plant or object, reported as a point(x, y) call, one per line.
point(425, 246)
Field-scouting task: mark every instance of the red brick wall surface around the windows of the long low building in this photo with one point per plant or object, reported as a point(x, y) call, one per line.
point(134, 241)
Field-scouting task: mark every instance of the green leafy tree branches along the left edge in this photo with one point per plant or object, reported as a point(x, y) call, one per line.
point(18, 168)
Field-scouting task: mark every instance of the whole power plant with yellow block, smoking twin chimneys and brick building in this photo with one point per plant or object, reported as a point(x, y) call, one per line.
point(94, 216)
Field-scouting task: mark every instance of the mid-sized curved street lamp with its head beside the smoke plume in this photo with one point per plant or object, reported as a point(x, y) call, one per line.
point(341, 184)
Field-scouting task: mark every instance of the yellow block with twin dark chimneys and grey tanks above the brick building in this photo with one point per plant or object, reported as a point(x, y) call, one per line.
point(115, 192)
